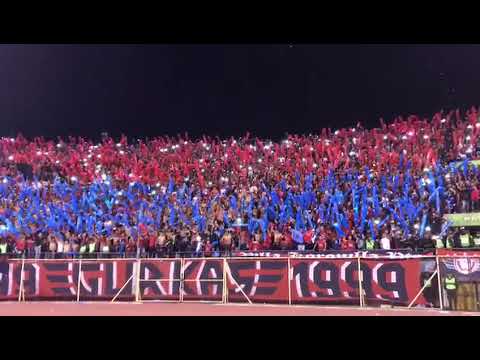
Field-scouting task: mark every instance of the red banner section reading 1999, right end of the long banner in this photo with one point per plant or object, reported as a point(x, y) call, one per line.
point(337, 280)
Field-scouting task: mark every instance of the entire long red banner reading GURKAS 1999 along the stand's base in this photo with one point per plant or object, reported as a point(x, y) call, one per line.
point(262, 280)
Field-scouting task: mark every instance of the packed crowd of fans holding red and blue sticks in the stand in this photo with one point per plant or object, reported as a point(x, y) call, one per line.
point(347, 189)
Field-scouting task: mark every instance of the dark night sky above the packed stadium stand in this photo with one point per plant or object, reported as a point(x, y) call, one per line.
point(268, 90)
